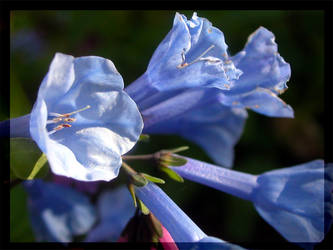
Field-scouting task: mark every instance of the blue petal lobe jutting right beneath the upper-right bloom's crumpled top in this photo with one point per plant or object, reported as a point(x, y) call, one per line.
point(262, 101)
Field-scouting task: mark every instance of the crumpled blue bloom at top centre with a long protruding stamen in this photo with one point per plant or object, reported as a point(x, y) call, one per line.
point(195, 42)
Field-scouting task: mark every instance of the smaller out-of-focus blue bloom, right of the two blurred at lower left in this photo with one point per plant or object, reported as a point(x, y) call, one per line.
point(115, 209)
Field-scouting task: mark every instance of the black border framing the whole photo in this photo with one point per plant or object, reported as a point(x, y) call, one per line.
point(6, 6)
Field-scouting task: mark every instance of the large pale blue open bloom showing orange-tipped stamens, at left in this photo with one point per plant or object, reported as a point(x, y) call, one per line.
point(83, 120)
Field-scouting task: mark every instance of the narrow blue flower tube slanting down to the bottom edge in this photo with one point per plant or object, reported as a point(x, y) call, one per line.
point(178, 224)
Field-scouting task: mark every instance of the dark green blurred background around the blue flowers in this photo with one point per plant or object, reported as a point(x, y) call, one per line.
point(129, 38)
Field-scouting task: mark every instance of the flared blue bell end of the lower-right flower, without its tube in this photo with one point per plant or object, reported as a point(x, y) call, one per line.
point(292, 201)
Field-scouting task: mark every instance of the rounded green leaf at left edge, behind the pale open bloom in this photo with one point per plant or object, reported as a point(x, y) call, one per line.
point(24, 153)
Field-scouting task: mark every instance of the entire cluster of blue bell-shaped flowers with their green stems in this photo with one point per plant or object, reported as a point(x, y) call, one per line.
point(84, 121)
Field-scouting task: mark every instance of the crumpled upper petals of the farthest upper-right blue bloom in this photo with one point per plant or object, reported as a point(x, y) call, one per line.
point(261, 65)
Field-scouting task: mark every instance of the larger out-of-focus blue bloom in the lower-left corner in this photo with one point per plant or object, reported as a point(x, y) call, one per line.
point(58, 213)
